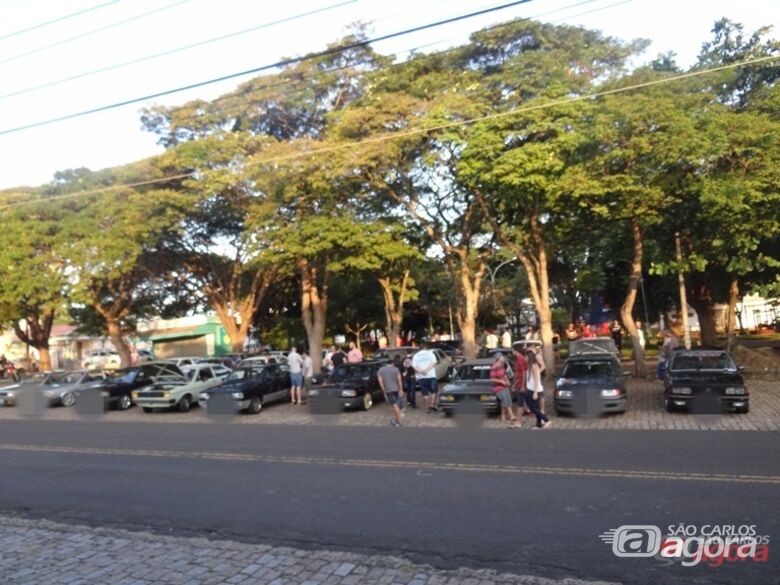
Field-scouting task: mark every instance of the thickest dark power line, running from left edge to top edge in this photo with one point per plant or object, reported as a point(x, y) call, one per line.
point(278, 64)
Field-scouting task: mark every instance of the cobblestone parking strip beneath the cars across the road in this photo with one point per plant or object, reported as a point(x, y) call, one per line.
point(645, 412)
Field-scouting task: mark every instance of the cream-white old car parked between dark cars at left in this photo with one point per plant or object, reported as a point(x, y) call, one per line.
point(180, 391)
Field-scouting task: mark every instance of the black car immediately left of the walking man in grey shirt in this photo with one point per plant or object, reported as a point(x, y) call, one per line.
point(349, 386)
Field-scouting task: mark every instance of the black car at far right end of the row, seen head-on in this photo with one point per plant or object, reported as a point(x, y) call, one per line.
point(704, 381)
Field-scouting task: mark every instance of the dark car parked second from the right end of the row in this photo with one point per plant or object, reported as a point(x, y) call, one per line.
point(589, 385)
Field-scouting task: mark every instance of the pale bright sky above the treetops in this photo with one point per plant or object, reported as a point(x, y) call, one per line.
point(124, 37)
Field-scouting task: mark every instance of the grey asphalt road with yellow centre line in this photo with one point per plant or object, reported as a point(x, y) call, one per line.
point(532, 502)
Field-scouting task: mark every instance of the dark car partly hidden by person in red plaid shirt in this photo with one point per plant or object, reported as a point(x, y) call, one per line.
point(470, 390)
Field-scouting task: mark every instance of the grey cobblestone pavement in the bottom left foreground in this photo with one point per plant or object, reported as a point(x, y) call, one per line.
point(39, 552)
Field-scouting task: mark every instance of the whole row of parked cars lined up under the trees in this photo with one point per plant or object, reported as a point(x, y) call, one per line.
point(591, 382)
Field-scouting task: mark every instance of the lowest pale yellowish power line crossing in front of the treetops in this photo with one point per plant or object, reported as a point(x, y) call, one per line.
point(417, 132)
